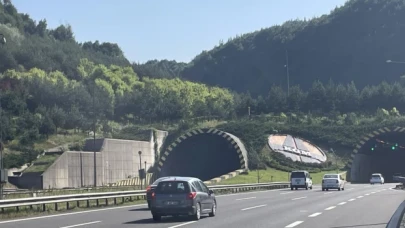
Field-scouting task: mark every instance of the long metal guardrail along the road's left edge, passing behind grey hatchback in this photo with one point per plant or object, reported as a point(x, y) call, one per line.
point(139, 194)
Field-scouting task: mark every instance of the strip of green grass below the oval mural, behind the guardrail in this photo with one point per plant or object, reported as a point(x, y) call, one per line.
point(270, 175)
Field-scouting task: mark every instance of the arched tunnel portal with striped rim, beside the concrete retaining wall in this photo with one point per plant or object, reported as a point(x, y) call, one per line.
point(203, 153)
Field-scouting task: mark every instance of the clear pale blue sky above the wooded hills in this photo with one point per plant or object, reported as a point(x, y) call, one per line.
point(174, 30)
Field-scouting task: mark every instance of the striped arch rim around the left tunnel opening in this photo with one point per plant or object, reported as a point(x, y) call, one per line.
point(240, 150)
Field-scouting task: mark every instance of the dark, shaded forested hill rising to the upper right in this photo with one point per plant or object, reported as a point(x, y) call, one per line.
point(352, 43)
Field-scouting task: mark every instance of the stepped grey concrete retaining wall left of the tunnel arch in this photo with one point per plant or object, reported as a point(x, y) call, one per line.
point(116, 160)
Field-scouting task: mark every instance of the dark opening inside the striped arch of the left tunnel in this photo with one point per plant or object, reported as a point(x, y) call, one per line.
point(204, 156)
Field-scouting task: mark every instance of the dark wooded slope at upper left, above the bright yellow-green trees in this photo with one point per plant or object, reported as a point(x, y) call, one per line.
point(31, 44)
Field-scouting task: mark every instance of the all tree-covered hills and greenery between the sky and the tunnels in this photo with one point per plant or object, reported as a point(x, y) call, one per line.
point(54, 90)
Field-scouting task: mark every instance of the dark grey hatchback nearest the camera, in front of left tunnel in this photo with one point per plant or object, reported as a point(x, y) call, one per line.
point(177, 196)
